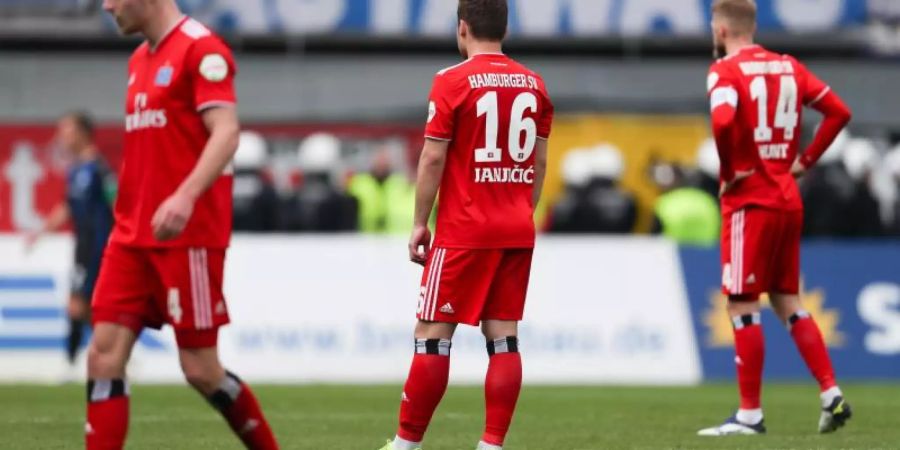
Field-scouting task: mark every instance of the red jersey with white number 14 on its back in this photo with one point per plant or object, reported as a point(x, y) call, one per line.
point(768, 91)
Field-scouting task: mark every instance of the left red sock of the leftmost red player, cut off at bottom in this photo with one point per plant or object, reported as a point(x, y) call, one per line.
point(107, 415)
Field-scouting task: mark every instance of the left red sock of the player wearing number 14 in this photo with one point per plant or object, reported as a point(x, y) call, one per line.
point(750, 348)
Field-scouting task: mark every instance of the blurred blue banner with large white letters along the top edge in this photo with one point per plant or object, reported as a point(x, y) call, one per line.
point(533, 18)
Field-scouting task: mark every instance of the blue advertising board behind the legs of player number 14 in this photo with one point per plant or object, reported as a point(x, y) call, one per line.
point(852, 290)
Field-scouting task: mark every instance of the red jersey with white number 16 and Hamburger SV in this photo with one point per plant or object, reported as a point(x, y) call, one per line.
point(492, 110)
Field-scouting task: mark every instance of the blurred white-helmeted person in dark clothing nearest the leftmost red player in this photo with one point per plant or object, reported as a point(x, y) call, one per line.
point(256, 205)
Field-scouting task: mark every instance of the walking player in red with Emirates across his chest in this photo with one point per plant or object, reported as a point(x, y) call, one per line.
point(164, 262)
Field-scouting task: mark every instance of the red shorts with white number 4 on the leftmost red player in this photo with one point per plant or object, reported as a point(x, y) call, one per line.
point(141, 287)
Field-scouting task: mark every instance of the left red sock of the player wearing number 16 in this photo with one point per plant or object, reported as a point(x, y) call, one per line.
point(425, 386)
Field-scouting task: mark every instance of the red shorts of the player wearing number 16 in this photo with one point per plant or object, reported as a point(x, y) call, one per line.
point(468, 286)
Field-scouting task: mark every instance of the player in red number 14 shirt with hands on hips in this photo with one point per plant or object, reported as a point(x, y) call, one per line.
point(757, 99)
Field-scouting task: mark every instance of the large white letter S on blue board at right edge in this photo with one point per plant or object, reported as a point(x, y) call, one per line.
point(879, 306)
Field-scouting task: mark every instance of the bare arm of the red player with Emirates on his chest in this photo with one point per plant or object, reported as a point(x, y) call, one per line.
point(175, 212)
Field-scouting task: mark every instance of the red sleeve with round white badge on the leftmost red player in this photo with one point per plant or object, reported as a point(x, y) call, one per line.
point(212, 69)
